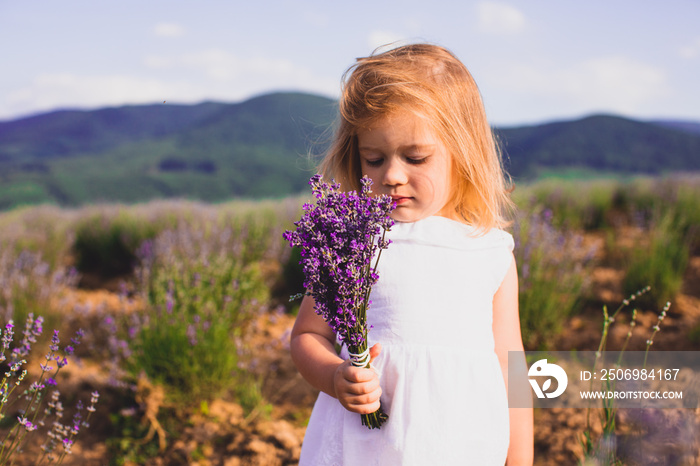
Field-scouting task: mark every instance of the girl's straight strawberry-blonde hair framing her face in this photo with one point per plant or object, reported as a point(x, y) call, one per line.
point(431, 82)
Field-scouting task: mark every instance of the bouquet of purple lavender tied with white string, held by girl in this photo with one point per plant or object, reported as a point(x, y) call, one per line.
point(338, 238)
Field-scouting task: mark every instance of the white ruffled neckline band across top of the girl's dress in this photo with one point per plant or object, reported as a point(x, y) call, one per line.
point(444, 232)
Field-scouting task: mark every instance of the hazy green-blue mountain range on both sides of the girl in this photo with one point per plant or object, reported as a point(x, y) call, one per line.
point(260, 148)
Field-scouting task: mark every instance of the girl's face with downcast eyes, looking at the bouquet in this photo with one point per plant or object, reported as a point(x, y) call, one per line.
point(407, 161)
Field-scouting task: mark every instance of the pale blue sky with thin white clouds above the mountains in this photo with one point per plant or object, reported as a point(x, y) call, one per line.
point(534, 60)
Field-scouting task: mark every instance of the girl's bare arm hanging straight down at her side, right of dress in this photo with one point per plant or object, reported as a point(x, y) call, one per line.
point(506, 331)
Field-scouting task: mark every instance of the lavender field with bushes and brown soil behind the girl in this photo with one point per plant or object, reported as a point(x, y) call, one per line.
point(172, 322)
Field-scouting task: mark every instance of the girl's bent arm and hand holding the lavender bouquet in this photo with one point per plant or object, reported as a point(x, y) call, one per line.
point(313, 351)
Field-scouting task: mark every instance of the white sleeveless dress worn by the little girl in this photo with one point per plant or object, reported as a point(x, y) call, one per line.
point(441, 380)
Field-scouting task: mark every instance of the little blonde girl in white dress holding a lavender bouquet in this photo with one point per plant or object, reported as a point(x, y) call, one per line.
point(444, 312)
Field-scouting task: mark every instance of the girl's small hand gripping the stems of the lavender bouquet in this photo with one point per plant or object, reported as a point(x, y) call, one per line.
point(358, 388)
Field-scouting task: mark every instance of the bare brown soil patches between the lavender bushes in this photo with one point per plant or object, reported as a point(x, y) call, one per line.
point(223, 435)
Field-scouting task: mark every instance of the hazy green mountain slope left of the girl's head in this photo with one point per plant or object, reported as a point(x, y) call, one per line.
point(256, 148)
